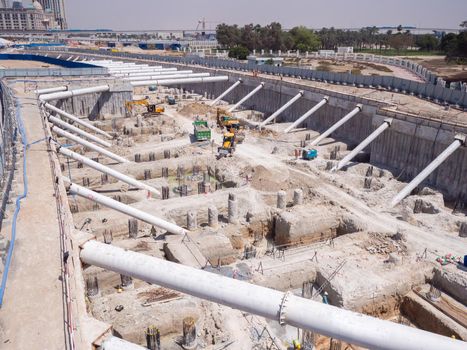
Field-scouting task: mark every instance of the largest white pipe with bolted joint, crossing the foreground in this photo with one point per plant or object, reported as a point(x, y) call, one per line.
point(331, 321)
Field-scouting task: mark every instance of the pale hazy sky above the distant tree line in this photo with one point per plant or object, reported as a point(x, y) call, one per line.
point(184, 14)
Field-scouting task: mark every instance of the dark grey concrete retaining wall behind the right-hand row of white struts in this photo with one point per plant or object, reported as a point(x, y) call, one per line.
point(406, 148)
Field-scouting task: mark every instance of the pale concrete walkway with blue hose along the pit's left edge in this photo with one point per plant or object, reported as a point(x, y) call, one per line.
point(32, 316)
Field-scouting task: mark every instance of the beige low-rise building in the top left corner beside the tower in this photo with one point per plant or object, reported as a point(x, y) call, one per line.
point(27, 19)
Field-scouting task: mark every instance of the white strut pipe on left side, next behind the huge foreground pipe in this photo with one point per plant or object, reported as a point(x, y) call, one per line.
point(126, 209)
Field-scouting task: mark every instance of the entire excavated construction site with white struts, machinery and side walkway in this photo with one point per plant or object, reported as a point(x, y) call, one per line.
point(171, 205)
